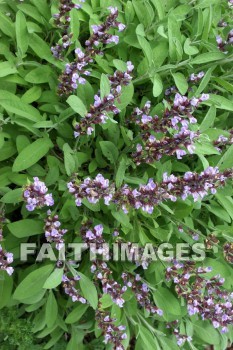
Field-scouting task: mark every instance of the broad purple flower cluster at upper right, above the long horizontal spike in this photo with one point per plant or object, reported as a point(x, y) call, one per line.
point(177, 136)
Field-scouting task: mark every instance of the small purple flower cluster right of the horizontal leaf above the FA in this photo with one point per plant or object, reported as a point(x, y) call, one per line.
point(53, 231)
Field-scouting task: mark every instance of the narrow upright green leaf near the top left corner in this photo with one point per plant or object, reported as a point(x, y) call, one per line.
point(22, 37)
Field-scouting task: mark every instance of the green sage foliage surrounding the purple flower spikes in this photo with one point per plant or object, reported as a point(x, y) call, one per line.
point(166, 41)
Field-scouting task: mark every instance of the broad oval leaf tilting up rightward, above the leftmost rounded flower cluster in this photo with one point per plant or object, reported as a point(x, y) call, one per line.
point(32, 154)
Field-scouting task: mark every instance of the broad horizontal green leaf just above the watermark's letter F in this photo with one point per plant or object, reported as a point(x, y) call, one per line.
point(26, 227)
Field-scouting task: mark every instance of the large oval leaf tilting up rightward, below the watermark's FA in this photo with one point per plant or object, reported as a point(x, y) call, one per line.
point(33, 283)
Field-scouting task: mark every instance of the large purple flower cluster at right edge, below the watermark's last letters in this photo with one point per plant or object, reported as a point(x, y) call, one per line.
point(205, 296)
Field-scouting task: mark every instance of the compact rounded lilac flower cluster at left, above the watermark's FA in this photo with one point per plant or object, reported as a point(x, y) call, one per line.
point(36, 196)
